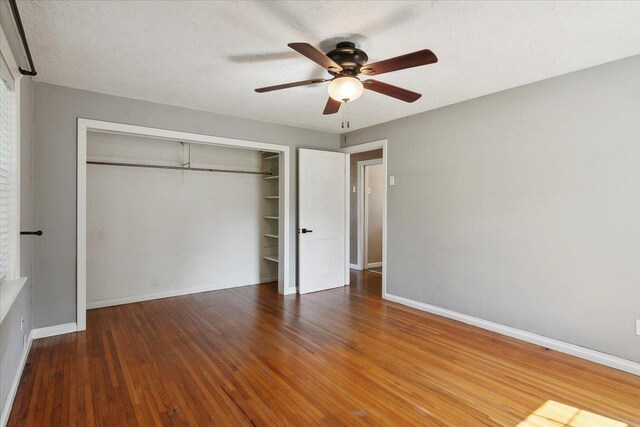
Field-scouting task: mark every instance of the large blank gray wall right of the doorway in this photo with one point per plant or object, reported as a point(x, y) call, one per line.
point(523, 207)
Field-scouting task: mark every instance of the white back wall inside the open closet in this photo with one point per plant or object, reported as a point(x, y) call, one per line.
point(157, 232)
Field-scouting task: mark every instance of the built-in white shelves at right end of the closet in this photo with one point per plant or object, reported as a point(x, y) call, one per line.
point(270, 163)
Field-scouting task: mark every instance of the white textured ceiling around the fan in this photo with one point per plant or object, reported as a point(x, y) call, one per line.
point(211, 55)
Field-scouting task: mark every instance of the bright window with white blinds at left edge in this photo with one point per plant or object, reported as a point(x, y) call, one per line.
point(8, 184)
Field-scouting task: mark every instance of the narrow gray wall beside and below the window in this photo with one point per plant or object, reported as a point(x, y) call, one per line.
point(11, 337)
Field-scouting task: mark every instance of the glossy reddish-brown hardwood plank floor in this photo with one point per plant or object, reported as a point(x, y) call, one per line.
point(248, 356)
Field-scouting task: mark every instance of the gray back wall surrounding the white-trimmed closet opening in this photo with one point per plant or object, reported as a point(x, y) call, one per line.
point(56, 109)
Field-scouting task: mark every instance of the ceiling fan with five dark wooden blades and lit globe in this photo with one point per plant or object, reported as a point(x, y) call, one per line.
point(345, 63)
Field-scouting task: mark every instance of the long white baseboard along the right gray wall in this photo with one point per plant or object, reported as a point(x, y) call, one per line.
point(561, 346)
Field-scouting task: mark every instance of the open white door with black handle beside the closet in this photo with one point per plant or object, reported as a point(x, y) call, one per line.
point(321, 220)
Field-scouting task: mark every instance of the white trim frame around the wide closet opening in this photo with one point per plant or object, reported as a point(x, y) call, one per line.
point(84, 126)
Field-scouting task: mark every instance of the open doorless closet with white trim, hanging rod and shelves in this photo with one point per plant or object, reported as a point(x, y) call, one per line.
point(164, 213)
